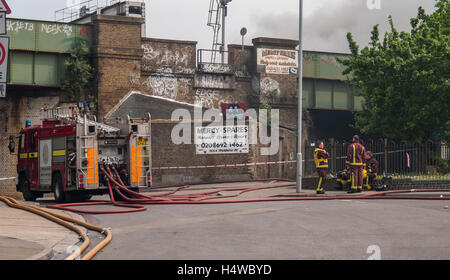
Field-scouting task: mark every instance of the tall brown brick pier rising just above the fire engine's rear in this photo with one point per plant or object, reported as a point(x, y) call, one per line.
point(117, 54)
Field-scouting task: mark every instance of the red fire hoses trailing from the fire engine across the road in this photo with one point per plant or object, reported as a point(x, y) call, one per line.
point(136, 201)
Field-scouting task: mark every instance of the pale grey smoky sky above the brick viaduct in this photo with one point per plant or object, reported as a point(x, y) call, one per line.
point(326, 22)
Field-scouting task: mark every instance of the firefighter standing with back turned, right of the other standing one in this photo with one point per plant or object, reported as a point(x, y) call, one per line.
point(355, 161)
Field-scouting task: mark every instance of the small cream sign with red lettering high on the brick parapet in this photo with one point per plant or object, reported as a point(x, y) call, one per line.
point(278, 61)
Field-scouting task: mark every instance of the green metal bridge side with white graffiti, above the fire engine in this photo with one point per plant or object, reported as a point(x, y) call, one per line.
point(38, 50)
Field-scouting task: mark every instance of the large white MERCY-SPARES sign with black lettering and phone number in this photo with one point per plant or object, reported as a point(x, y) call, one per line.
point(221, 140)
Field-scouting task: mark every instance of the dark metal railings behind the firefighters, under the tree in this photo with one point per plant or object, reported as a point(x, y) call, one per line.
point(425, 161)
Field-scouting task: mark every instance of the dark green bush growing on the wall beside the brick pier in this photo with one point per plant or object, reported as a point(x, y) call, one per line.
point(78, 70)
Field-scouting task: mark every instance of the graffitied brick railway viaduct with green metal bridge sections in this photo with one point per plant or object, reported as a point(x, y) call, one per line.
point(179, 75)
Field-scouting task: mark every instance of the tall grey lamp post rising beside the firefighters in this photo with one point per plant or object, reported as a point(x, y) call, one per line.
point(300, 105)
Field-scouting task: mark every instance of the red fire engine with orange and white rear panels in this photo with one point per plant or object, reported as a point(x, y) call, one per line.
point(67, 152)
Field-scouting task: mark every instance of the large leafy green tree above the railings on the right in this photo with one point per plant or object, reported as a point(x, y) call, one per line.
point(405, 79)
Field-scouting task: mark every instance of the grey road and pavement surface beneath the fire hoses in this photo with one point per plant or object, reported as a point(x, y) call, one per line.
point(342, 229)
